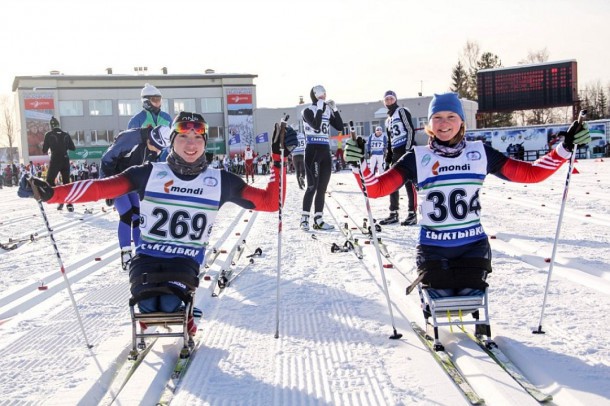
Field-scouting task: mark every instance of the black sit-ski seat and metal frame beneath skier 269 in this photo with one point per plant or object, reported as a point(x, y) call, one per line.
point(147, 285)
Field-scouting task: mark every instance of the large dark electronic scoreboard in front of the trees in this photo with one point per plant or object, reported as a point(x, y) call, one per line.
point(527, 87)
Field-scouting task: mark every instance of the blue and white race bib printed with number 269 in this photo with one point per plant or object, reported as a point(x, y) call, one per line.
point(177, 215)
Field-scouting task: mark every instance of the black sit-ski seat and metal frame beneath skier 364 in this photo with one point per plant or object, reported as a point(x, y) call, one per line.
point(454, 293)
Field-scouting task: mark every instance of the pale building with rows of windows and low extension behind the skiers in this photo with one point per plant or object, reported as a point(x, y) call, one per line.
point(93, 109)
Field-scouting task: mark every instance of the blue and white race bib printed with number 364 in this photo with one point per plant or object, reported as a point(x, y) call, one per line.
point(449, 195)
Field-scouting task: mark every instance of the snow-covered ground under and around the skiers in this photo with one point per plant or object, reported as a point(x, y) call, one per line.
point(334, 323)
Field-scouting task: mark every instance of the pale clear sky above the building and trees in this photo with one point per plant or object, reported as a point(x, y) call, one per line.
point(357, 49)
